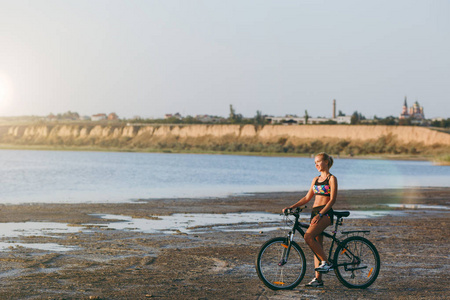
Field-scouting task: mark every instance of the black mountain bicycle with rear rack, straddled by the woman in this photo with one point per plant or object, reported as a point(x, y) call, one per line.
point(281, 263)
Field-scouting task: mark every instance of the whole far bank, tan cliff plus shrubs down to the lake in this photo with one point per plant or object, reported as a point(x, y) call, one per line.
point(340, 139)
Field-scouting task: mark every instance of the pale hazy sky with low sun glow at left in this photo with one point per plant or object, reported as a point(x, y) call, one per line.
point(150, 58)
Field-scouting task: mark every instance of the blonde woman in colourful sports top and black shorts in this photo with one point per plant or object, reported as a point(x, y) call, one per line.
point(324, 187)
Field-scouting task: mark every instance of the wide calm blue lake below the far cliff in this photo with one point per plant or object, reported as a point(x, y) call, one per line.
point(69, 177)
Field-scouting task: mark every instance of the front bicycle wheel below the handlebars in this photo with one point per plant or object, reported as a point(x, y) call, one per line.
point(276, 269)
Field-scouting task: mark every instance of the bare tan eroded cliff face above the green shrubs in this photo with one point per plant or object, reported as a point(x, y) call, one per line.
point(146, 136)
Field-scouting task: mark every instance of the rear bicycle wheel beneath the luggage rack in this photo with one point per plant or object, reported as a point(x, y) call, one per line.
point(357, 262)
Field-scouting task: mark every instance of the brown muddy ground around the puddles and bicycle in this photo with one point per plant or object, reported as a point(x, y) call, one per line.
point(213, 263)
